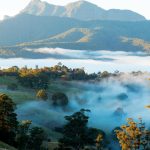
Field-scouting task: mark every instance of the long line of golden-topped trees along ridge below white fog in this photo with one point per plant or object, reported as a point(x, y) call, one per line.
point(39, 78)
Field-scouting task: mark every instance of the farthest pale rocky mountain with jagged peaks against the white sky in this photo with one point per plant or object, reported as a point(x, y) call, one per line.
point(82, 10)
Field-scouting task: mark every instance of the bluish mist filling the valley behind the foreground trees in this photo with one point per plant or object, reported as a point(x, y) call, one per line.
point(111, 101)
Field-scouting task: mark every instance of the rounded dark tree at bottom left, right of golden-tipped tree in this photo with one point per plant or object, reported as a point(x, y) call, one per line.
point(37, 136)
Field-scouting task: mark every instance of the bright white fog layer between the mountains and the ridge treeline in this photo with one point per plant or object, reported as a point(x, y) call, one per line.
point(92, 61)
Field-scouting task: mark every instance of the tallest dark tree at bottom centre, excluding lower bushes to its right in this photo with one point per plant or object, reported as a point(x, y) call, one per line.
point(75, 132)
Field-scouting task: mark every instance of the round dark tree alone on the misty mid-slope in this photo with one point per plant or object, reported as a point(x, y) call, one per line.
point(59, 99)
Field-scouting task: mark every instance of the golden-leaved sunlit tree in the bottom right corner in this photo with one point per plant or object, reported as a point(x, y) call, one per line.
point(134, 136)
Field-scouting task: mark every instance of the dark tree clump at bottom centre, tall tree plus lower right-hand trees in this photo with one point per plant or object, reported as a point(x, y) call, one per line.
point(77, 134)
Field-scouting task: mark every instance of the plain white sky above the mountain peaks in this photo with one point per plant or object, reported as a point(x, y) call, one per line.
point(12, 7)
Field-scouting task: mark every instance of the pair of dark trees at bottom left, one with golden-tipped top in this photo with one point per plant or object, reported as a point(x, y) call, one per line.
point(29, 138)
